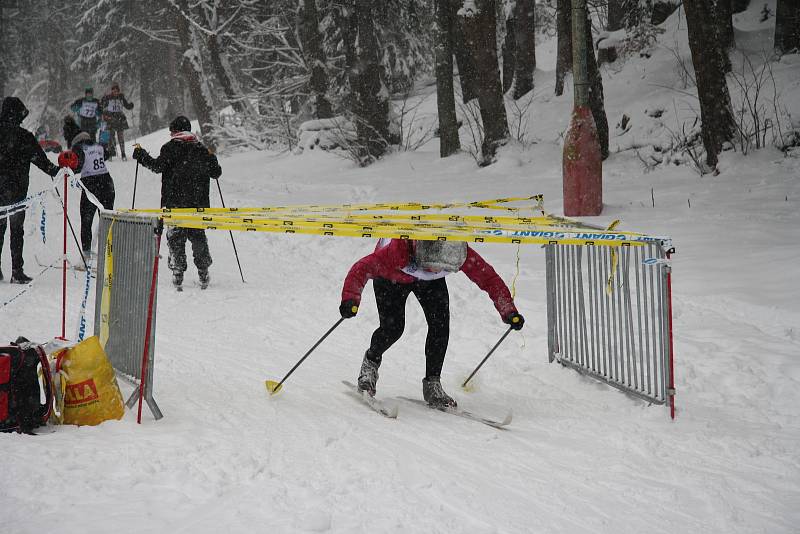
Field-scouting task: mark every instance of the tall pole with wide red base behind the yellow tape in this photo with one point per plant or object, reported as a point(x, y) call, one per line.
point(582, 163)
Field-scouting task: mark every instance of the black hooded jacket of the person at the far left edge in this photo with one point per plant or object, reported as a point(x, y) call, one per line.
point(18, 149)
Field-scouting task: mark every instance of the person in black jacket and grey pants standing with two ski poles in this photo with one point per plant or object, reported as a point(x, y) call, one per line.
point(186, 168)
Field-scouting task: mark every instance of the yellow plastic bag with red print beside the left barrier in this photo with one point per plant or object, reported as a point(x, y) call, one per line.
point(91, 394)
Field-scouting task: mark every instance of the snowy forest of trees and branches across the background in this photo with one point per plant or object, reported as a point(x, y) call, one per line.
point(253, 72)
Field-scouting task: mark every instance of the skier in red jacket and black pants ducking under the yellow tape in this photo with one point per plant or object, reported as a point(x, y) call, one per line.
point(401, 267)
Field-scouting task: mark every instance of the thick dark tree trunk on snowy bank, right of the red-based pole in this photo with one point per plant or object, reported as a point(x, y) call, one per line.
point(715, 102)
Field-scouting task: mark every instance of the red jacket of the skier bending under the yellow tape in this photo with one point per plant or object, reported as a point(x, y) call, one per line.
point(388, 261)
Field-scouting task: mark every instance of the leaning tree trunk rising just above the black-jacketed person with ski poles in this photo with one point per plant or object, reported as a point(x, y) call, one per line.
point(193, 74)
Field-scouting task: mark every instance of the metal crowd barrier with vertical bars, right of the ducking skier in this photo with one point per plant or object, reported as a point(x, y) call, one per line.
point(610, 318)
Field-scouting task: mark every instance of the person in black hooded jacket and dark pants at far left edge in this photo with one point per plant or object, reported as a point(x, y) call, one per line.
point(18, 149)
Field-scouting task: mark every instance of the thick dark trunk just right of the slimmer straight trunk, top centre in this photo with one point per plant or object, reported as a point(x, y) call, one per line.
point(480, 30)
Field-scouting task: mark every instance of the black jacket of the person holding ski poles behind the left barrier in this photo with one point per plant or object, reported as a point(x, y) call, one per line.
point(186, 168)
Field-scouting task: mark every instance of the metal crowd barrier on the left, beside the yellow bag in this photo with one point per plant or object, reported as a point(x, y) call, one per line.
point(134, 251)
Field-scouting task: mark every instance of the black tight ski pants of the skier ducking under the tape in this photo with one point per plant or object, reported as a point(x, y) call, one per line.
point(435, 301)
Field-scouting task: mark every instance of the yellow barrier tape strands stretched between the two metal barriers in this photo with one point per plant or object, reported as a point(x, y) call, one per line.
point(366, 220)
